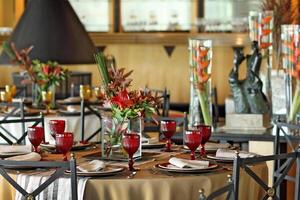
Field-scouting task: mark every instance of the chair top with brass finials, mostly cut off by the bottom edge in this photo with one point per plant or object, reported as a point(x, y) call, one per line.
point(228, 188)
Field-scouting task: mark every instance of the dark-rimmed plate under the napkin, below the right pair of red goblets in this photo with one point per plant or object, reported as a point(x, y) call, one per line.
point(171, 168)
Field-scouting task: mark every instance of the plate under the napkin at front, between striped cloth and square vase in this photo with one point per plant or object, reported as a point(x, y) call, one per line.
point(107, 171)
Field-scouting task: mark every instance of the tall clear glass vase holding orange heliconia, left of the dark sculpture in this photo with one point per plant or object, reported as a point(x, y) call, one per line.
point(200, 110)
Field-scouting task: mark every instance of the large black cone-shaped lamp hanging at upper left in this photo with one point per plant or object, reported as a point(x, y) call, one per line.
point(55, 31)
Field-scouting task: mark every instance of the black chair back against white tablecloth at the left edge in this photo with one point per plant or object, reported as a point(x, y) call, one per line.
point(8, 136)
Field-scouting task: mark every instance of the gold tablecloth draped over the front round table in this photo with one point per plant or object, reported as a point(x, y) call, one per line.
point(154, 185)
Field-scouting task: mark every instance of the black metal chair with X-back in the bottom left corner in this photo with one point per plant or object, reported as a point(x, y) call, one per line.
point(60, 166)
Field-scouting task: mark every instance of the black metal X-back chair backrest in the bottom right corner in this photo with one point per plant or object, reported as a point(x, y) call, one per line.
point(281, 174)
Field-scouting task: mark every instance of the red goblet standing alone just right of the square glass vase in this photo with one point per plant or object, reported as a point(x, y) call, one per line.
point(168, 128)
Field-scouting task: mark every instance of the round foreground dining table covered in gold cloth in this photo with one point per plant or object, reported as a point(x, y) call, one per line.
point(150, 182)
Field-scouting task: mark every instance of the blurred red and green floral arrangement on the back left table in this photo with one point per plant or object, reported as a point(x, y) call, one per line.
point(44, 76)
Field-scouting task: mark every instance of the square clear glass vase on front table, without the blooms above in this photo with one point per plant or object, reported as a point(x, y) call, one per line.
point(111, 137)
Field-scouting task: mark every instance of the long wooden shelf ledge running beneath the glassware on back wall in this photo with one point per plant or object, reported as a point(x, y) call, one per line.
point(219, 39)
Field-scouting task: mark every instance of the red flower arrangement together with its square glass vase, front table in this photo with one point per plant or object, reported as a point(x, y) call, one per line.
point(128, 109)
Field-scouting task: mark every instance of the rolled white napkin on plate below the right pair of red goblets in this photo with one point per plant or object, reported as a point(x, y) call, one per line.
point(183, 163)
